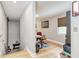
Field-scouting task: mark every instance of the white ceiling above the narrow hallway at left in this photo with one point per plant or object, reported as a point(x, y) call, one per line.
point(14, 10)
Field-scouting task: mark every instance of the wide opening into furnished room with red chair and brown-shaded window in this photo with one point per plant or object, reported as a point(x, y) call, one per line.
point(53, 28)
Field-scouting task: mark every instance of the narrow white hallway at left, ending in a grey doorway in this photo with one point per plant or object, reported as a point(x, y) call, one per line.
point(15, 33)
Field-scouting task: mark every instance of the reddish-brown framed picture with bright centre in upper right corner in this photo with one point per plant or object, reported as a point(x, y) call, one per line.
point(75, 8)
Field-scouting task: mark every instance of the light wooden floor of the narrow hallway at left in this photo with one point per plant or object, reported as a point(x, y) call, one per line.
point(19, 54)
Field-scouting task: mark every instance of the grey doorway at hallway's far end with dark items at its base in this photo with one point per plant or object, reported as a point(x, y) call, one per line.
point(13, 36)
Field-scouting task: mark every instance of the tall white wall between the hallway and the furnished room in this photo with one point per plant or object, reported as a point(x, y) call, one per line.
point(27, 28)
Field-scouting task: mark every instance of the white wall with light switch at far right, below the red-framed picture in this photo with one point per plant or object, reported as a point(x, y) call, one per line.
point(75, 37)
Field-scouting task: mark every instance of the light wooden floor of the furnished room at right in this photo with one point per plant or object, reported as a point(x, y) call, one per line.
point(53, 51)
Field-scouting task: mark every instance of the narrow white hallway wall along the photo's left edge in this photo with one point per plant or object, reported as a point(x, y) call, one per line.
point(3, 31)
